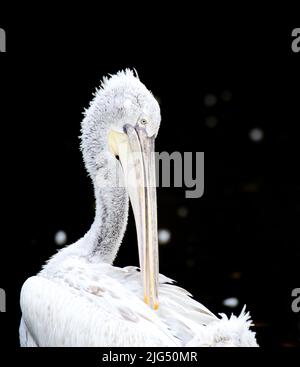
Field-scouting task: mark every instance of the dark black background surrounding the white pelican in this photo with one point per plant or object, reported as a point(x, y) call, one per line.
point(241, 239)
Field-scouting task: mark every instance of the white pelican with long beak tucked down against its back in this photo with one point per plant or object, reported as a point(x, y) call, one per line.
point(79, 299)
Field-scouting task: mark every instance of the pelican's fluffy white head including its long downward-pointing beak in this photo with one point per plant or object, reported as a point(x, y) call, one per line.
point(119, 130)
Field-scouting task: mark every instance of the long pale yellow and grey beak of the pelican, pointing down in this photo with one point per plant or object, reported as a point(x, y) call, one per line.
point(136, 153)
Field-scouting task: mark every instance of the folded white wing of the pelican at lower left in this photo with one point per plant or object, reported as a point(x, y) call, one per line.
point(55, 316)
